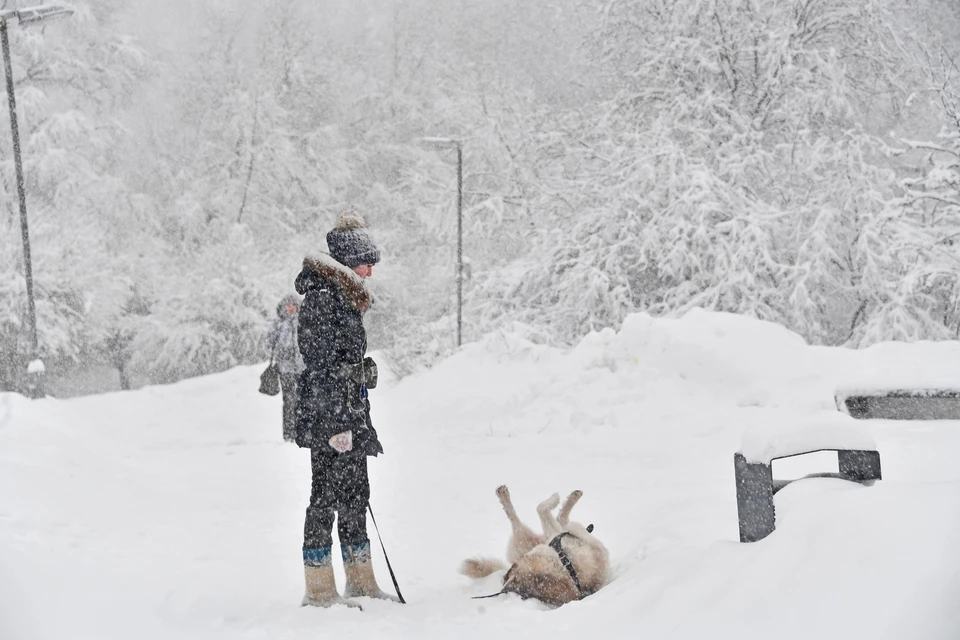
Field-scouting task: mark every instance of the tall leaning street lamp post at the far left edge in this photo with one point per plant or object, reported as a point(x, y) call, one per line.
point(25, 16)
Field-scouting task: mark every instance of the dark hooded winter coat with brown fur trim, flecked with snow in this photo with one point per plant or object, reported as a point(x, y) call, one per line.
point(331, 337)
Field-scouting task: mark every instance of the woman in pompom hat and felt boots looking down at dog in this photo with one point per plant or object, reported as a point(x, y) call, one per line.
point(333, 415)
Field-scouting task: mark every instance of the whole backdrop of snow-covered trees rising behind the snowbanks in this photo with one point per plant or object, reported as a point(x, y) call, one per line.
point(618, 156)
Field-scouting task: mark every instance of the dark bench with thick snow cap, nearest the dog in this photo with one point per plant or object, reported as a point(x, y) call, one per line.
point(857, 460)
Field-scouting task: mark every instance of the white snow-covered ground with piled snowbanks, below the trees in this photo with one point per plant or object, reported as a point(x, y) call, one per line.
point(176, 511)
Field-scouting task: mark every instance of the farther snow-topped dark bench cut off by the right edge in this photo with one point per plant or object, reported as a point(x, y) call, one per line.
point(900, 403)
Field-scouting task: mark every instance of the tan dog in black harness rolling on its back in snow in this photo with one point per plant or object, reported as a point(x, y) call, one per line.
point(563, 564)
